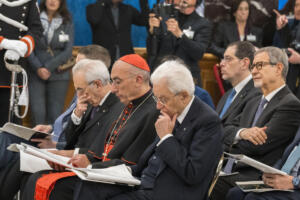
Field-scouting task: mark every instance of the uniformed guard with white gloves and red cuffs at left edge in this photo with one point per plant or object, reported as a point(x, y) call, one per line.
point(18, 41)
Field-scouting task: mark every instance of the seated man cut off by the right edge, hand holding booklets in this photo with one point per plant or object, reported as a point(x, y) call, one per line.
point(276, 181)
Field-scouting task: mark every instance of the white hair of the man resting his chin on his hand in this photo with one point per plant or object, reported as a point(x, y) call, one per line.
point(177, 75)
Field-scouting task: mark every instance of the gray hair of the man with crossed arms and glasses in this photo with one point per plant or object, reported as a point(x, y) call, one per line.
point(276, 55)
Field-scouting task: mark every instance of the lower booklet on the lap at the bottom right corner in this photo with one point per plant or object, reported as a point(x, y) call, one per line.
point(256, 186)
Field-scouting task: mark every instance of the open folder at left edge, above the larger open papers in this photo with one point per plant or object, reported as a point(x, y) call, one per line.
point(22, 131)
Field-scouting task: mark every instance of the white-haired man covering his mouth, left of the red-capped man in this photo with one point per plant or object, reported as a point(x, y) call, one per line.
point(95, 110)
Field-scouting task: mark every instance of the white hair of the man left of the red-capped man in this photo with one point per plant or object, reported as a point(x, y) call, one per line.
point(93, 70)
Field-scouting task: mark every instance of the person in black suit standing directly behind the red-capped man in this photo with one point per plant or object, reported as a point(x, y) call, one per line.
point(111, 22)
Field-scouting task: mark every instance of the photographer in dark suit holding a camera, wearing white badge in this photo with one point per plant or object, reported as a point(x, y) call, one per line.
point(177, 29)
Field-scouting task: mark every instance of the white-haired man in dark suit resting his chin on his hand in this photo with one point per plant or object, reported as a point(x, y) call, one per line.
point(188, 146)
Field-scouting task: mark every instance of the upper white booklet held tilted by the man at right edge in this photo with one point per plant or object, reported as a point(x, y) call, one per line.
point(256, 164)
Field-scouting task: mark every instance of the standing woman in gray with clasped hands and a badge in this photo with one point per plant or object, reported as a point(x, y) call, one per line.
point(48, 86)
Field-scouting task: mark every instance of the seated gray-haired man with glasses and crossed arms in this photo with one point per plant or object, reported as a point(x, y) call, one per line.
point(268, 123)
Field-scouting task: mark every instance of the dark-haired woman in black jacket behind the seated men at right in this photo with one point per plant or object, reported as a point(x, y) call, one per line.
point(239, 28)
